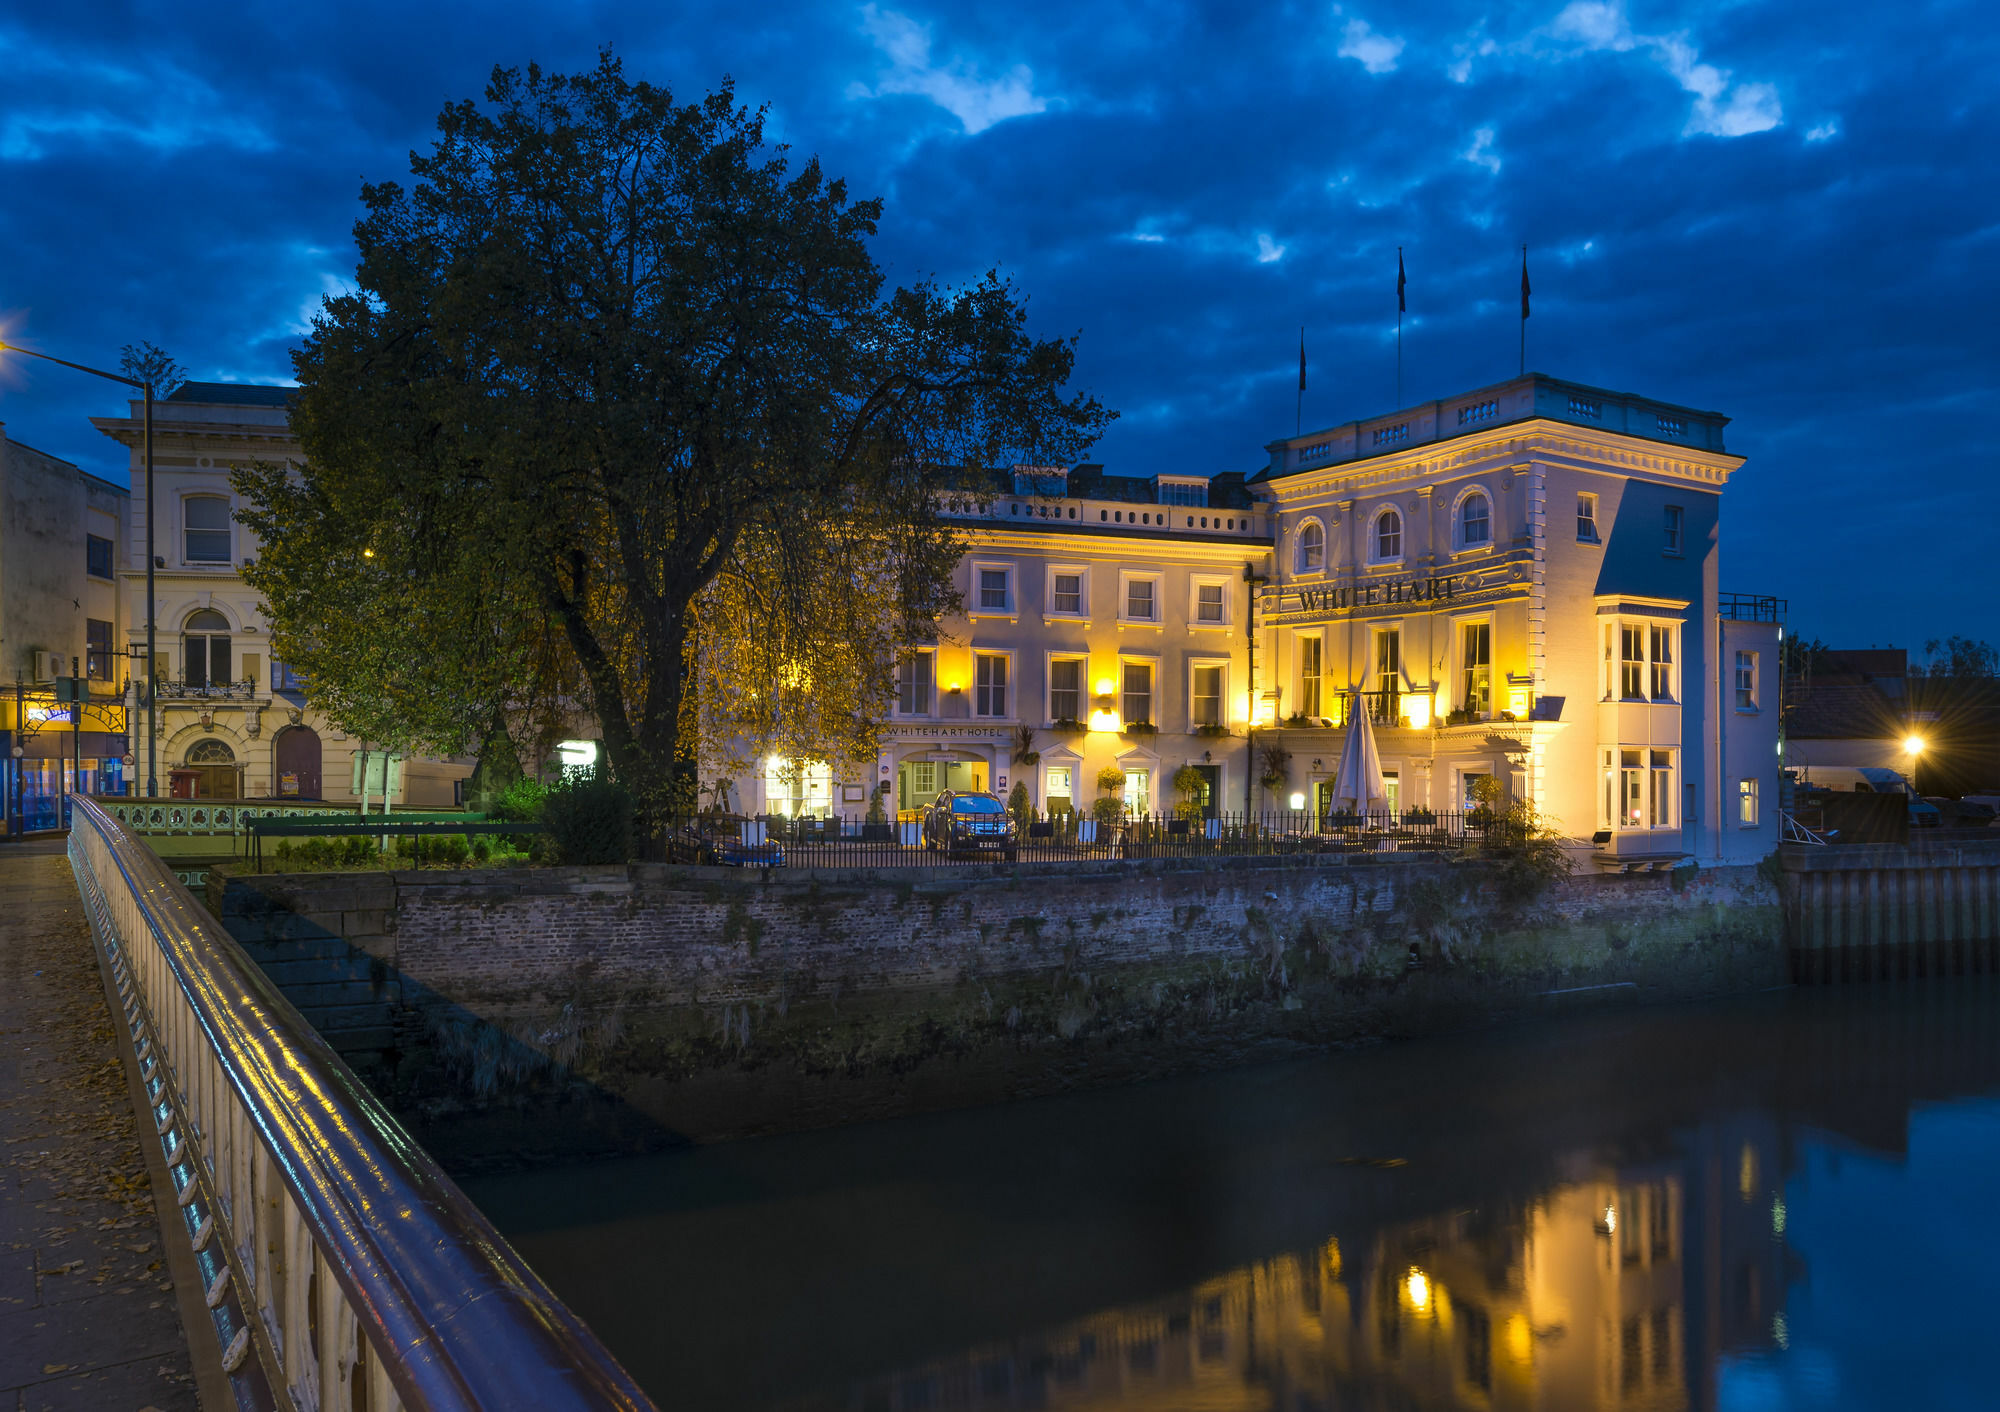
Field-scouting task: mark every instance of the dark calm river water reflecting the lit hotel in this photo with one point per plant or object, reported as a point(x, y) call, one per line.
point(1789, 1201)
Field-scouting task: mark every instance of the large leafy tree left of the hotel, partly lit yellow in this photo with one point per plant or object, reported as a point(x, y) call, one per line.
point(621, 415)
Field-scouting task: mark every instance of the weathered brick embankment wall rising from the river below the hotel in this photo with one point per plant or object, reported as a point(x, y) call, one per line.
point(525, 1011)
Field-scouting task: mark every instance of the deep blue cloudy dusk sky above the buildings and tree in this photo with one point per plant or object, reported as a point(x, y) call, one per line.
point(1789, 213)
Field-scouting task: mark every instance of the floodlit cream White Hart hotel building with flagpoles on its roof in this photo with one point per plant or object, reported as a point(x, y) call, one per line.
point(1517, 583)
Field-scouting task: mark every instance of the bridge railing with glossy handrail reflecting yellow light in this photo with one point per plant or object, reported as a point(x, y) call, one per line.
point(343, 1269)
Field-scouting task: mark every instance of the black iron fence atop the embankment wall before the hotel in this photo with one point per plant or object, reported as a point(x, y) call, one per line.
point(915, 841)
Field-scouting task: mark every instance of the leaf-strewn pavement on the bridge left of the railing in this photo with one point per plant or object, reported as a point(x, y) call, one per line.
point(89, 1315)
